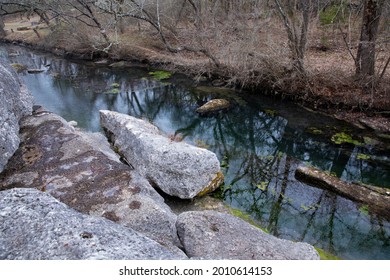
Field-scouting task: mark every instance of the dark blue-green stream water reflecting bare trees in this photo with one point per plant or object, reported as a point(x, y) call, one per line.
point(260, 143)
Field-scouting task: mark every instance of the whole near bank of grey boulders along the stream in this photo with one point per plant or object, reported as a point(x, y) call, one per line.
point(72, 181)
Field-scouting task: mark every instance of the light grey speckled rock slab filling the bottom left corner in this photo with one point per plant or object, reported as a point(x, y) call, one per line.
point(34, 225)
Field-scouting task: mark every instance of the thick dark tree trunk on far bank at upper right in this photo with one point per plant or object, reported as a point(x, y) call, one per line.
point(365, 59)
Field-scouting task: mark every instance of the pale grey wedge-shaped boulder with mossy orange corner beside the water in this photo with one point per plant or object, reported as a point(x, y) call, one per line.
point(177, 168)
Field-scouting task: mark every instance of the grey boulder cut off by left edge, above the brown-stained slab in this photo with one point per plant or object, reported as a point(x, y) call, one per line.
point(15, 102)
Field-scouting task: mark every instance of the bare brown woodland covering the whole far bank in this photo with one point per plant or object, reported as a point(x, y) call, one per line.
point(329, 54)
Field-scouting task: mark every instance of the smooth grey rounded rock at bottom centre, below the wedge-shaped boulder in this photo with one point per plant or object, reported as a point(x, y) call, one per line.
point(213, 235)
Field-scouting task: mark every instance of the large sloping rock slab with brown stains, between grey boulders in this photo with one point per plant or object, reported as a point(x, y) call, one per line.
point(82, 171)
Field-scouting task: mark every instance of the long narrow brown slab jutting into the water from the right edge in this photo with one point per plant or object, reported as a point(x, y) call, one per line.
point(377, 199)
